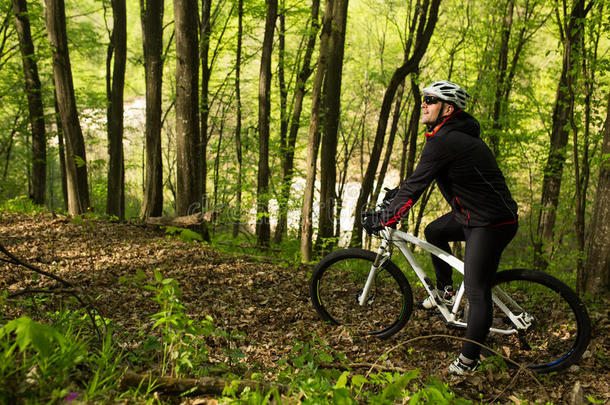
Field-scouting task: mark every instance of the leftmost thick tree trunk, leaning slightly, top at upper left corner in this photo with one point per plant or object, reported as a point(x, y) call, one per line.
point(34, 93)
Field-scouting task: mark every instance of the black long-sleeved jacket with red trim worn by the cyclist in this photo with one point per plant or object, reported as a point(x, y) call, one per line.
point(466, 173)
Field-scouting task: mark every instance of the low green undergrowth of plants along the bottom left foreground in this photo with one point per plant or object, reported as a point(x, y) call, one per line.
point(55, 357)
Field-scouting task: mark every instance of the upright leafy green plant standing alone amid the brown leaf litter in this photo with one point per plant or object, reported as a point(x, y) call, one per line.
point(183, 339)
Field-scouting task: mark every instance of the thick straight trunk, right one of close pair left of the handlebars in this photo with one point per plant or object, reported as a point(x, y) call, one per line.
point(332, 99)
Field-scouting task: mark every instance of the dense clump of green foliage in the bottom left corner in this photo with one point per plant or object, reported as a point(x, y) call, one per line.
point(40, 363)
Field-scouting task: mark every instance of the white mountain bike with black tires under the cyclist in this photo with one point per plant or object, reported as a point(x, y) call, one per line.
point(538, 320)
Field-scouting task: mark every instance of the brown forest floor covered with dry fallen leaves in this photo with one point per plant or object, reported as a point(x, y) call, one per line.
point(268, 302)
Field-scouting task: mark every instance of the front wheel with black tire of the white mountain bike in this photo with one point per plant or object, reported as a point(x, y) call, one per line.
point(337, 281)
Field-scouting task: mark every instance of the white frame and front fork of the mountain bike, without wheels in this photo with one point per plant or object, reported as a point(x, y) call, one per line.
point(521, 320)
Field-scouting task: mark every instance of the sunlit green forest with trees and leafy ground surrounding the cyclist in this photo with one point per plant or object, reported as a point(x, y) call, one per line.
point(150, 148)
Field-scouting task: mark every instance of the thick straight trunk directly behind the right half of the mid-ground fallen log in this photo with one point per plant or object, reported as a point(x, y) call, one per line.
point(188, 169)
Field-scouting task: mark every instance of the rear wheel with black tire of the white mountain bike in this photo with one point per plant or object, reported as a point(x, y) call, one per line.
point(560, 331)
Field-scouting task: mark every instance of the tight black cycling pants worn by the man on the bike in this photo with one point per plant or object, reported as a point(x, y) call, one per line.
point(484, 246)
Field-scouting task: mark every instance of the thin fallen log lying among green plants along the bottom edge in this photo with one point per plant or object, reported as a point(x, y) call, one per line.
point(195, 386)
